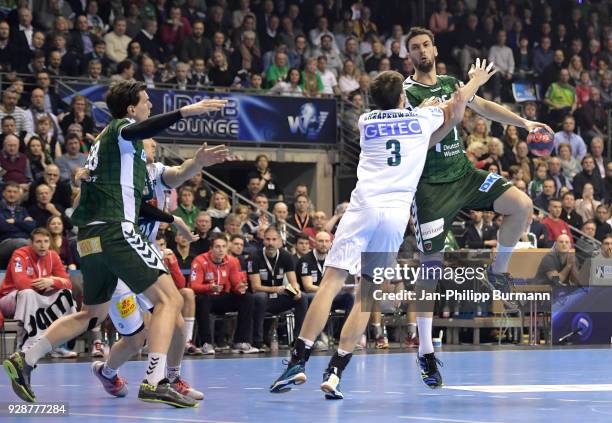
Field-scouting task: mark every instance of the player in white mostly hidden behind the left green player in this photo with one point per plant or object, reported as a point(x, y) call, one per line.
point(128, 311)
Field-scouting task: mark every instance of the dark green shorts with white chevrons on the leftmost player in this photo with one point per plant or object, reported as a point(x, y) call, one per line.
point(114, 251)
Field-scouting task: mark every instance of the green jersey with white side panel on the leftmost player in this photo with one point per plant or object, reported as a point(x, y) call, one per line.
point(117, 170)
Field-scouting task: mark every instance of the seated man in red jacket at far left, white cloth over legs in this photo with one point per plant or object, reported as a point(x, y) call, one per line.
point(36, 279)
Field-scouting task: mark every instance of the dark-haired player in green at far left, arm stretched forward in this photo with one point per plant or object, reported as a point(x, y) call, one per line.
point(111, 245)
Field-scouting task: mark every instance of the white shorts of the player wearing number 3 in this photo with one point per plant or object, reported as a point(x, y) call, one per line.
point(372, 230)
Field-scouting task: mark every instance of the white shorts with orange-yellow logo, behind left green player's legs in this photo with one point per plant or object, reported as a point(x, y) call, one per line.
point(127, 310)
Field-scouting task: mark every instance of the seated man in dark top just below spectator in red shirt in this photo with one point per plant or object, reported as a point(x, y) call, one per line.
point(558, 268)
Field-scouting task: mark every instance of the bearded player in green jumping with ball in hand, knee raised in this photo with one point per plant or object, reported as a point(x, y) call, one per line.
point(450, 183)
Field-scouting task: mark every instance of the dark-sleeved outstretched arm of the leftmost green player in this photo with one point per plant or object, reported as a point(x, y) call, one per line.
point(148, 128)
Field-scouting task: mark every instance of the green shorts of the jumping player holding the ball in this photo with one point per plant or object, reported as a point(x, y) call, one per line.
point(435, 205)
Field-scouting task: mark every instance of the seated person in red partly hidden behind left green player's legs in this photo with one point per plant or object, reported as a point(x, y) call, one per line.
point(188, 310)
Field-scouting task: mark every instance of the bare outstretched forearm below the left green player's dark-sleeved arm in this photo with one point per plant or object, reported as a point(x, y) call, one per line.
point(204, 157)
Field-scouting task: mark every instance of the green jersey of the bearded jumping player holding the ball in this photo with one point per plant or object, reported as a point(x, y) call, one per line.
point(446, 162)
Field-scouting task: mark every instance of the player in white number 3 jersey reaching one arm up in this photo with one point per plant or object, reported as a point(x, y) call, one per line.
point(394, 143)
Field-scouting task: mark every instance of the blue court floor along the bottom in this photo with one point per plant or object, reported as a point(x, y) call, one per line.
point(502, 386)
